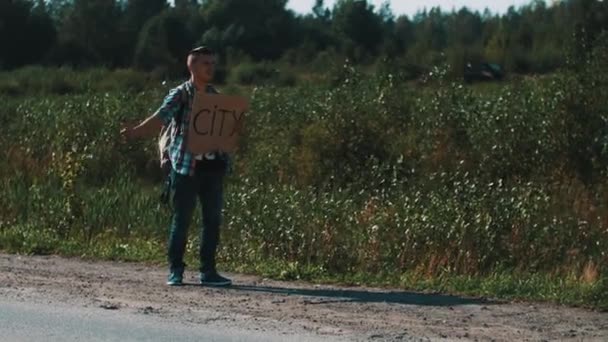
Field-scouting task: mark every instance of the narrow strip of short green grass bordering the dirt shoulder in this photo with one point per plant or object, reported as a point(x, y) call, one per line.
point(500, 285)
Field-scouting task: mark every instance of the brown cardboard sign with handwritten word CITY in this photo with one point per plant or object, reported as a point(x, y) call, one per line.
point(216, 121)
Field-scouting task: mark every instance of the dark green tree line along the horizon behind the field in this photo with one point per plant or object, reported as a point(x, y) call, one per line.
point(155, 35)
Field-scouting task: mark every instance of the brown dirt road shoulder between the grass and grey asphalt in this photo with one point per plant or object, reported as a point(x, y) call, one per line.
point(293, 310)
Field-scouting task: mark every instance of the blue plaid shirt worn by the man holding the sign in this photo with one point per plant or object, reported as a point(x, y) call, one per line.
point(177, 106)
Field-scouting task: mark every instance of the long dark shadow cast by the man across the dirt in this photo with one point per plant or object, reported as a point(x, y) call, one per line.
point(324, 296)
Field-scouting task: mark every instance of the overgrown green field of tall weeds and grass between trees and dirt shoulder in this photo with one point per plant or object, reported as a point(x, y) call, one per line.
point(497, 192)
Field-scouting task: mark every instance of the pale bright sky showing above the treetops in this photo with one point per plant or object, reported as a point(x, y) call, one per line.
point(410, 7)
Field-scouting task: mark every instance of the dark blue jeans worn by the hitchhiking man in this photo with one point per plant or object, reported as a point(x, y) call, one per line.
point(207, 184)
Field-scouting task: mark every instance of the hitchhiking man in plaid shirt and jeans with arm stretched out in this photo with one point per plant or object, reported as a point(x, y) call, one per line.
point(191, 176)
